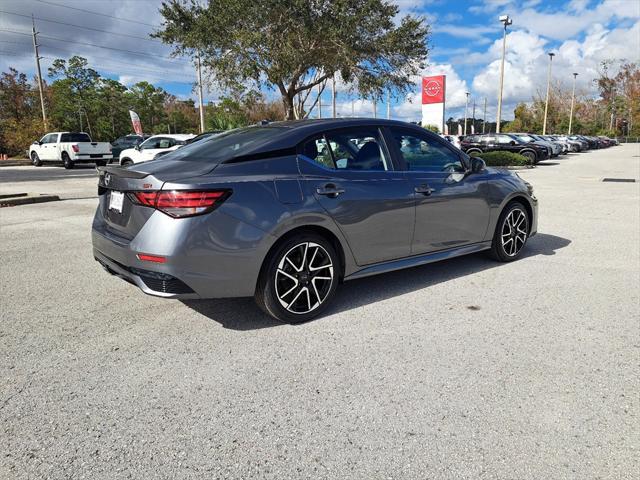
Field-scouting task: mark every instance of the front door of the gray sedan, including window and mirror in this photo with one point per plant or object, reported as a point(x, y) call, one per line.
point(452, 205)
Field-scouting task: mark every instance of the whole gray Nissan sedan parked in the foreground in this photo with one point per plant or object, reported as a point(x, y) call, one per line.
point(286, 211)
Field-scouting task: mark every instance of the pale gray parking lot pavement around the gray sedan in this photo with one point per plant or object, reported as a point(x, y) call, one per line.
point(464, 369)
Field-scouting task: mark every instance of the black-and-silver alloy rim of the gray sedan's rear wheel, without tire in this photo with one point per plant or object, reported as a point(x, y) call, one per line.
point(304, 277)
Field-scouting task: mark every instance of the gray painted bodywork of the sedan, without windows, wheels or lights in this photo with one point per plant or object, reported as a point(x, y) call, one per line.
point(379, 223)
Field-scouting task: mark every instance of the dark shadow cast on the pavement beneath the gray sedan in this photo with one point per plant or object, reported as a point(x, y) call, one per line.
point(243, 313)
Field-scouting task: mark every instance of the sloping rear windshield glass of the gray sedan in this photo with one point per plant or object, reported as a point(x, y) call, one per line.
point(225, 146)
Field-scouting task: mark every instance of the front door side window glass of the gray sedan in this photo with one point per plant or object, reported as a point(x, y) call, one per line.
point(426, 154)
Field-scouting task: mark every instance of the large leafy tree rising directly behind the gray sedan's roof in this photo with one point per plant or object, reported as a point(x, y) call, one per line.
point(295, 45)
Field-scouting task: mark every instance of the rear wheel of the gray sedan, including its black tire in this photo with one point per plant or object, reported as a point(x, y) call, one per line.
point(279, 274)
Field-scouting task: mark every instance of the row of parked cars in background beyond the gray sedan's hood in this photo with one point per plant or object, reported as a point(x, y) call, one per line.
point(532, 146)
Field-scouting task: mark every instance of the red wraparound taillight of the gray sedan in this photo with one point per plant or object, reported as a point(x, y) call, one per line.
point(182, 203)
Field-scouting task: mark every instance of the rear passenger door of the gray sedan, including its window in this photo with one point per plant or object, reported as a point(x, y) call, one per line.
point(350, 172)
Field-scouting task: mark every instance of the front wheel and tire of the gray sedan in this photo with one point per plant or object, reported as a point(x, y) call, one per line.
point(504, 251)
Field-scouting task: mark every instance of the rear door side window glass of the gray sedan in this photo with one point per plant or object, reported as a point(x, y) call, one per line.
point(349, 149)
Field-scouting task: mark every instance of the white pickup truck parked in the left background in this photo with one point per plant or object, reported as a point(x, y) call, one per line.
point(69, 148)
